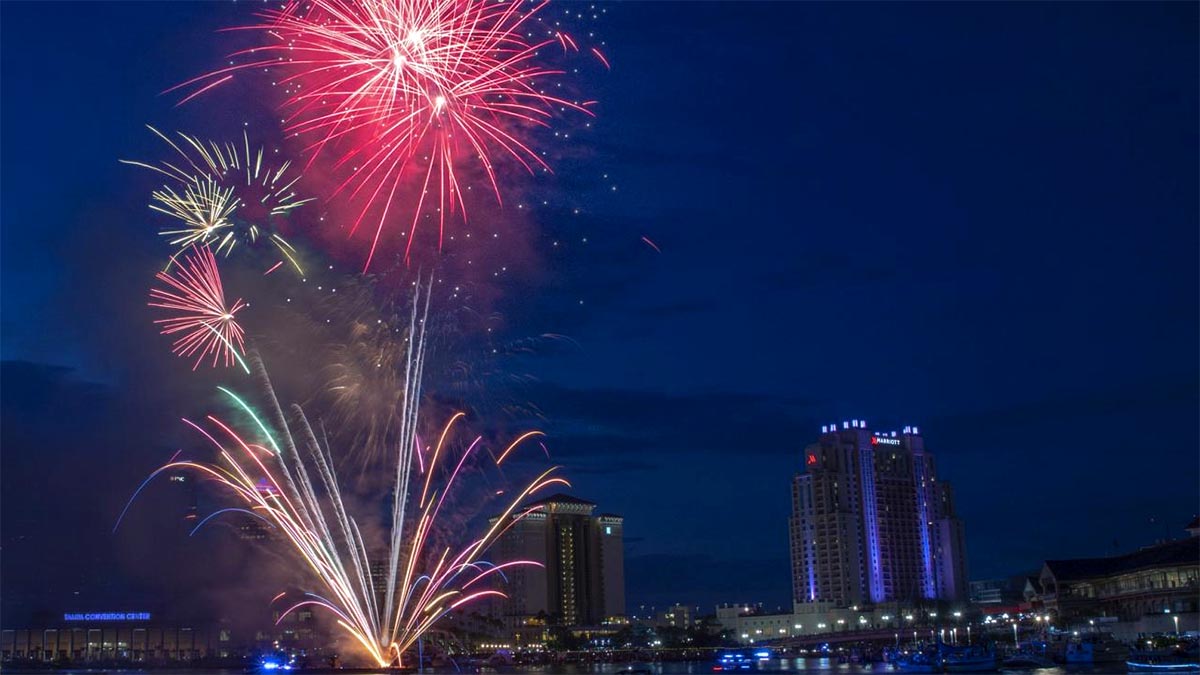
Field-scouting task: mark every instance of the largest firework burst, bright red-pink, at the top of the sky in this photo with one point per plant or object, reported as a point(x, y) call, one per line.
point(398, 88)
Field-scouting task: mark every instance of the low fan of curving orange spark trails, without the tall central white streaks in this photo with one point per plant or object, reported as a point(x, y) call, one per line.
point(278, 485)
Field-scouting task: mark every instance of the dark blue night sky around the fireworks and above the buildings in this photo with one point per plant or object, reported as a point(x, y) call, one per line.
point(980, 219)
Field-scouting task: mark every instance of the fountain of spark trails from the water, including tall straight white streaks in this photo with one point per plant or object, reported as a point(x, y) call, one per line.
point(284, 474)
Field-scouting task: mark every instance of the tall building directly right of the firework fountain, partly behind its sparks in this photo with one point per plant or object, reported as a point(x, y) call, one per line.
point(583, 580)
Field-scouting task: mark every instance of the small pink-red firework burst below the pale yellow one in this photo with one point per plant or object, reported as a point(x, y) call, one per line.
point(200, 316)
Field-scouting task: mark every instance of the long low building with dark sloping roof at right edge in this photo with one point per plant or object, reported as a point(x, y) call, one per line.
point(1160, 580)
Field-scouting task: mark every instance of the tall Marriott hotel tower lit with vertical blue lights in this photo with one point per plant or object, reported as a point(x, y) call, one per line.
point(872, 523)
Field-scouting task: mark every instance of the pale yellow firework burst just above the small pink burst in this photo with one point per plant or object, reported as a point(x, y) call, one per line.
point(223, 194)
